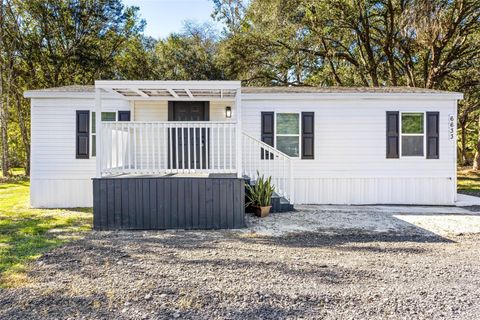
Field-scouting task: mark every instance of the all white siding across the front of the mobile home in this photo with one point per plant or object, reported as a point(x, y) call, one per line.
point(350, 166)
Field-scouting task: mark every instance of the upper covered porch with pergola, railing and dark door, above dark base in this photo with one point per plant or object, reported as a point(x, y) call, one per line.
point(174, 127)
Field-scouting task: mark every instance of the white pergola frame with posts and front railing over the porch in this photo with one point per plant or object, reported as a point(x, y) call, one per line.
point(122, 143)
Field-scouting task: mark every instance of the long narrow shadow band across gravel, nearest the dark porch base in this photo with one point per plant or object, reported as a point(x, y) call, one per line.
point(153, 241)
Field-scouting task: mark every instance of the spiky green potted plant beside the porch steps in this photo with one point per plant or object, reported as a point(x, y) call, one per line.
point(259, 196)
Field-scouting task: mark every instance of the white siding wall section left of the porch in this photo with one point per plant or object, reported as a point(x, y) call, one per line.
point(58, 179)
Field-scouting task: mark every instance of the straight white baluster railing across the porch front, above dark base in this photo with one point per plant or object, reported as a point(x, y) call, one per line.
point(168, 147)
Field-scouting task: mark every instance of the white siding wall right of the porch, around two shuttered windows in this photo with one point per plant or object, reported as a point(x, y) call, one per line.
point(350, 165)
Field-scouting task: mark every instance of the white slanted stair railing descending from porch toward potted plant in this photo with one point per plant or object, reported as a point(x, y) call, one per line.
point(258, 156)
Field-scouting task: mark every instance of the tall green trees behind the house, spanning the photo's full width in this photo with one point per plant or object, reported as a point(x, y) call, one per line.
point(420, 43)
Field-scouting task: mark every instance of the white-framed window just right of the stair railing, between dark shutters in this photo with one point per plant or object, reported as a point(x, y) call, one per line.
point(287, 133)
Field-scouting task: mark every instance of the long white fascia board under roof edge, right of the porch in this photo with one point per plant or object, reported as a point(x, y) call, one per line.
point(352, 96)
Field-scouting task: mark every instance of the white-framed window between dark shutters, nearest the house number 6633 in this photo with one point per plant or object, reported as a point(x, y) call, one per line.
point(412, 134)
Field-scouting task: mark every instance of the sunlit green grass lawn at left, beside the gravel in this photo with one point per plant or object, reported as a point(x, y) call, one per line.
point(26, 233)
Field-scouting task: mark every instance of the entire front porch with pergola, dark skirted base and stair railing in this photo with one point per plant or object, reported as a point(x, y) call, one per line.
point(178, 158)
